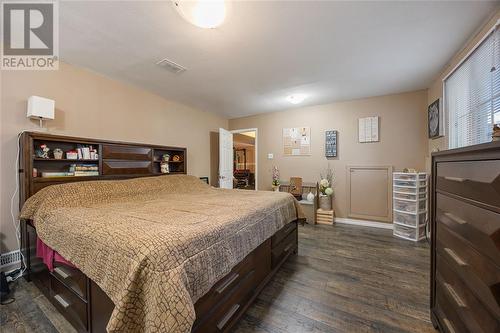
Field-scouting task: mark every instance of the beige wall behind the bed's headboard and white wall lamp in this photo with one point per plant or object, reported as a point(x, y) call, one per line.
point(90, 105)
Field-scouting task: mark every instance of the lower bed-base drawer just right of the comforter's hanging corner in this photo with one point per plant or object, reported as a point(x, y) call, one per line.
point(223, 316)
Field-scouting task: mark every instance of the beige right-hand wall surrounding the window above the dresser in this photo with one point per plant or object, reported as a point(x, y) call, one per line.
point(435, 90)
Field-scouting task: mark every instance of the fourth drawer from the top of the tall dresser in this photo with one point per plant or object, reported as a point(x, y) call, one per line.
point(472, 311)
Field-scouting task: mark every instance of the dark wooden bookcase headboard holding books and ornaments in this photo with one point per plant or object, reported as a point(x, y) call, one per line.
point(115, 160)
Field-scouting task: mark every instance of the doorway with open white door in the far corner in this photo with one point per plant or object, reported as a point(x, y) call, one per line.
point(238, 159)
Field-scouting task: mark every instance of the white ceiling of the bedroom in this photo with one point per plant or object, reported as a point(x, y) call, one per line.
point(265, 50)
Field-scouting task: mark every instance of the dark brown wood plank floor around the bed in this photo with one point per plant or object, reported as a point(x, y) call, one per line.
point(345, 279)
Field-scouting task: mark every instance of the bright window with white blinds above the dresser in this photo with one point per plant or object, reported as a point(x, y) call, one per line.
point(472, 95)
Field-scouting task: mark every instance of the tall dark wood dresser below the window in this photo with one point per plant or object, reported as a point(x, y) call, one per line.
point(465, 257)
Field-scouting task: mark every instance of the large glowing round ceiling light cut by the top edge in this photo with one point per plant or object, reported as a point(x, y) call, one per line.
point(205, 14)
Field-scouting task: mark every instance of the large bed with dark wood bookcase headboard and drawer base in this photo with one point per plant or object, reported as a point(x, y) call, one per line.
point(154, 253)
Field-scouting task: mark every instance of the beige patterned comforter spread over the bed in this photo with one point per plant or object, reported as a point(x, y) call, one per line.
point(155, 245)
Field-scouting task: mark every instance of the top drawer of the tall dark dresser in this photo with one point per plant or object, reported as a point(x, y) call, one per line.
point(476, 180)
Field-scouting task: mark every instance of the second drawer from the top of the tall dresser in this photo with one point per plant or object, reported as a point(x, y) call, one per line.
point(479, 226)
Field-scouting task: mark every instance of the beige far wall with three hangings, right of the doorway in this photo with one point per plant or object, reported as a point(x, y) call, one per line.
point(403, 138)
